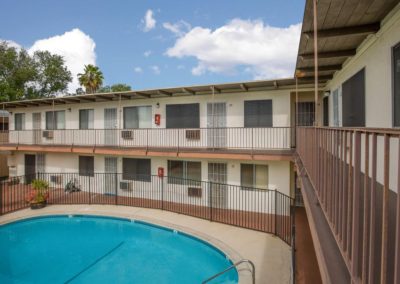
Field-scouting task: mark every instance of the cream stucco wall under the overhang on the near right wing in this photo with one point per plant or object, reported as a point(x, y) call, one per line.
point(375, 55)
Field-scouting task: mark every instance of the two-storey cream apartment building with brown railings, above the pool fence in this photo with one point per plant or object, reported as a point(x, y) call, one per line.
point(256, 135)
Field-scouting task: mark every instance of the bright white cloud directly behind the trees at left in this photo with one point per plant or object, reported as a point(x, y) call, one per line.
point(77, 48)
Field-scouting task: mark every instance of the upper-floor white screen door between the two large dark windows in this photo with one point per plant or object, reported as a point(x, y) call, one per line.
point(216, 121)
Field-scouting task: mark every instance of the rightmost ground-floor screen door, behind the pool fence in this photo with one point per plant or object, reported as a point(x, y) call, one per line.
point(217, 175)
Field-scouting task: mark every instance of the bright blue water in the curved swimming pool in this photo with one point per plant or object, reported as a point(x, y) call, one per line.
point(91, 249)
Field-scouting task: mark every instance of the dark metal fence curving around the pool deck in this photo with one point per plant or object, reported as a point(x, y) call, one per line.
point(258, 209)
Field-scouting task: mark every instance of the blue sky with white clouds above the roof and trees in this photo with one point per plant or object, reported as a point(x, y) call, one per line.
point(158, 44)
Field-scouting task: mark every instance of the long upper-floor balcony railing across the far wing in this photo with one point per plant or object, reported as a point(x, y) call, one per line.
point(174, 139)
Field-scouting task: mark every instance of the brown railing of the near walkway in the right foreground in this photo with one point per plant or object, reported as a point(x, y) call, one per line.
point(356, 177)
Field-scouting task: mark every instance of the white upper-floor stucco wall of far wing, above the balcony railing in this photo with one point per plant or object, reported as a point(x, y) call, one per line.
point(234, 107)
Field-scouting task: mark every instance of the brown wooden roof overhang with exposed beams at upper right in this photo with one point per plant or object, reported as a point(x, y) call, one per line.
point(342, 26)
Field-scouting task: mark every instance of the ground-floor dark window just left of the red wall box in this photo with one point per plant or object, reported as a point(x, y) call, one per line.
point(136, 169)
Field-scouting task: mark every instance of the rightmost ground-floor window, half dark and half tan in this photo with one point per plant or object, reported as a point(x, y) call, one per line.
point(254, 176)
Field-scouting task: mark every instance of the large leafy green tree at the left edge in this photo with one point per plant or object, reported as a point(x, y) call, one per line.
point(26, 77)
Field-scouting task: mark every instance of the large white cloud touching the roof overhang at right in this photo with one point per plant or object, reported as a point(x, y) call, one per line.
point(266, 52)
